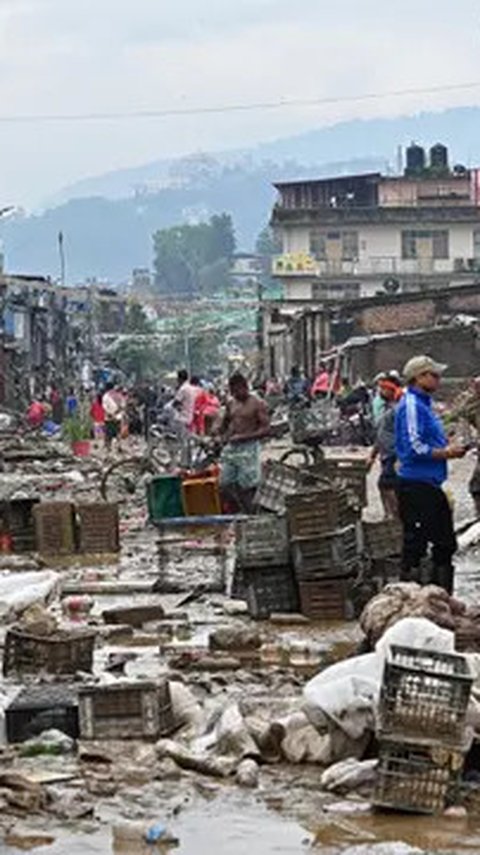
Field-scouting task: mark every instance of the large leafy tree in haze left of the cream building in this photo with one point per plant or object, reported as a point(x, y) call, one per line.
point(183, 254)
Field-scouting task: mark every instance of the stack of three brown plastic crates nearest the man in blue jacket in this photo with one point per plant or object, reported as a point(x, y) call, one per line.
point(326, 551)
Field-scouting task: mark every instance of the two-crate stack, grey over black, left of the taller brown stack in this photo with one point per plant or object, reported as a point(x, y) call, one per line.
point(263, 562)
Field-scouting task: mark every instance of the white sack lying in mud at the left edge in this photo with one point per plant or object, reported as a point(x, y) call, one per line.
point(18, 591)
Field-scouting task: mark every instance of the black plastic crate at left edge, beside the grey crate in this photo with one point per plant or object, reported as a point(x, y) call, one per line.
point(40, 708)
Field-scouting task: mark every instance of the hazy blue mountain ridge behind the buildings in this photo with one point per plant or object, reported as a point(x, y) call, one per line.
point(108, 220)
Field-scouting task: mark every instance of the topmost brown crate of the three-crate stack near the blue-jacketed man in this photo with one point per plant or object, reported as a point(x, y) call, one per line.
point(318, 512)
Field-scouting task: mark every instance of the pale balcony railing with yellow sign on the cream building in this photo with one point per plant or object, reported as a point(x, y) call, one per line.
point(303, 264)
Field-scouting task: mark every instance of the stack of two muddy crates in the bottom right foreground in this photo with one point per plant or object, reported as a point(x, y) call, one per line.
point(422, 717)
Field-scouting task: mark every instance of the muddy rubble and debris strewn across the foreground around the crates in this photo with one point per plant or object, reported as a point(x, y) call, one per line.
point(254, 706)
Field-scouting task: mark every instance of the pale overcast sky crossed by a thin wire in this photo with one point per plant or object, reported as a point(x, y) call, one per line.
point(90, 56)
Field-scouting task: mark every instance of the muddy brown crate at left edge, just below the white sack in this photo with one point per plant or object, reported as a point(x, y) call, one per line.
point(64, 652)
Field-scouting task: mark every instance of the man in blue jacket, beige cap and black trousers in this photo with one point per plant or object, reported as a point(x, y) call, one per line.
point(423, 450)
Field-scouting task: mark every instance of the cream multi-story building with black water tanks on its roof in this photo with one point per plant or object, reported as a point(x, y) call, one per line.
point(361, 235)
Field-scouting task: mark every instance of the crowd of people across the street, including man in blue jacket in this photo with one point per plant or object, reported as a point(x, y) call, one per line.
point(411, 441)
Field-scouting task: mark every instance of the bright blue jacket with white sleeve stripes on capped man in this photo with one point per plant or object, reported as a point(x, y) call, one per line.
point(417, 432)
